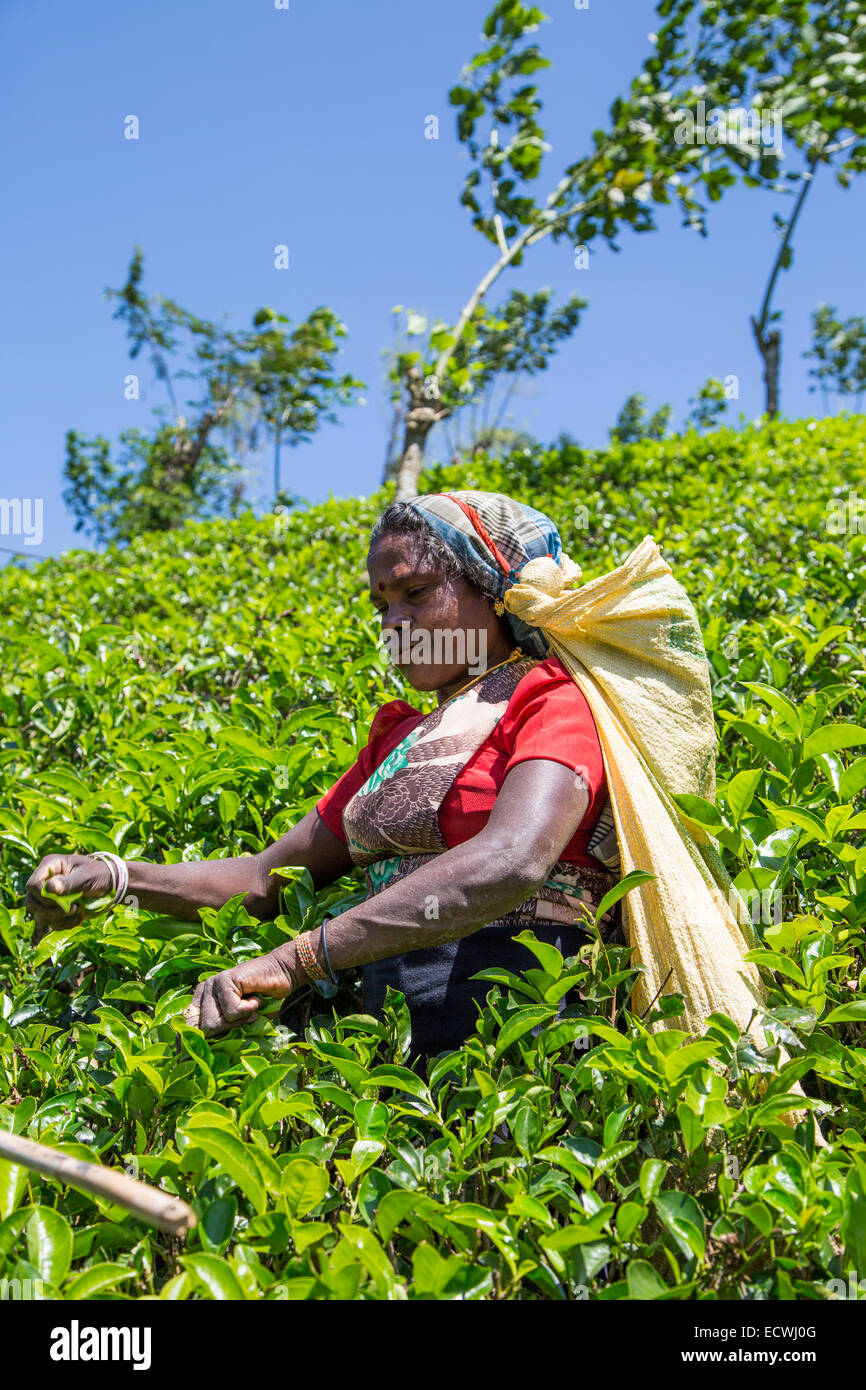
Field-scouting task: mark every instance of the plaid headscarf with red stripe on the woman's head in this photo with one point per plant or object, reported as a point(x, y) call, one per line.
point(501, 536)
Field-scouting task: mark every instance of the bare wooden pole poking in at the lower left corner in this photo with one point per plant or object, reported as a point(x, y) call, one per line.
point(148, 1203)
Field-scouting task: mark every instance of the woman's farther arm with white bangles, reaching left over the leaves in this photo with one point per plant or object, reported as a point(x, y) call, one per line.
point(206, 883)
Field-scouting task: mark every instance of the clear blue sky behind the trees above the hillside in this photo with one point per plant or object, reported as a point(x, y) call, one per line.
point(307, 127)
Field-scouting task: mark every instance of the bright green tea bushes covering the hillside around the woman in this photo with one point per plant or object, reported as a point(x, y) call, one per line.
point(194, 694)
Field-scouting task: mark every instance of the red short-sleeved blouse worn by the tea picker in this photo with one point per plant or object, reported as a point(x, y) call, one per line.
point(547, 718)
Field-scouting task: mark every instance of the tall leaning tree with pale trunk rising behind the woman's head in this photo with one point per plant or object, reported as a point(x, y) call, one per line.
point(626, 169)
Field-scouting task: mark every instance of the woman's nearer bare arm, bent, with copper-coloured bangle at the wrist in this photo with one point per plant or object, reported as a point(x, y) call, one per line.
point(536, 815)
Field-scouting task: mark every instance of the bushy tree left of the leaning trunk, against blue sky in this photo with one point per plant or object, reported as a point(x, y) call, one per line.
point(259, 383)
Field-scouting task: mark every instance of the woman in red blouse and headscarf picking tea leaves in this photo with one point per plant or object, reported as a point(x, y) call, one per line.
point(473, 822)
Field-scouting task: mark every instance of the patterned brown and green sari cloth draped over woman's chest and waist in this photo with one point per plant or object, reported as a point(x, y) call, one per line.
point(393, 829)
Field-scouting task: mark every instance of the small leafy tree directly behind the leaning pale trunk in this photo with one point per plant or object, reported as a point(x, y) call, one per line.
point(498, 351)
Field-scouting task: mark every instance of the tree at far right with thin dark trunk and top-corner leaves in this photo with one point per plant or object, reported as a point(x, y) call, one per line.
point(787, 70)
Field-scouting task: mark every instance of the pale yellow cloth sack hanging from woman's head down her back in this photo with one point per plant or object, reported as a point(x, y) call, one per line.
point(633, 644)
